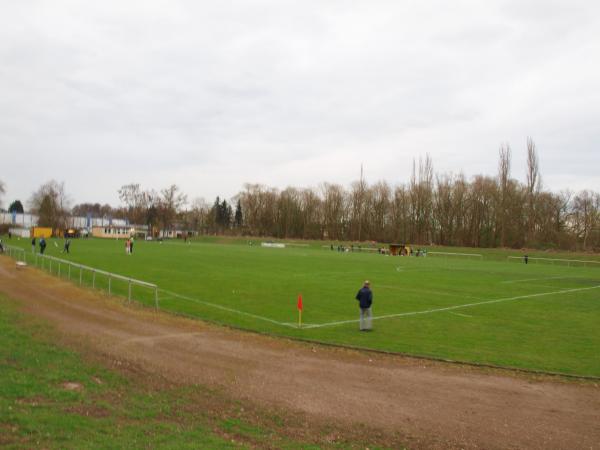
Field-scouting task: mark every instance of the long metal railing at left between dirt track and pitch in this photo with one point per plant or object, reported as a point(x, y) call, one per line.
point(83, 274)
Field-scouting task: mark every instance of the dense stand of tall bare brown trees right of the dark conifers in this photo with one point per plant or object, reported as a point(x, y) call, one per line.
point(447, 209)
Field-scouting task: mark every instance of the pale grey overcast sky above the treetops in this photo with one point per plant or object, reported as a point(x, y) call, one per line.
point(211, 95)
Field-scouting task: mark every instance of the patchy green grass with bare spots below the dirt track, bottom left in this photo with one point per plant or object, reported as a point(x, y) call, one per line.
point(54, 397)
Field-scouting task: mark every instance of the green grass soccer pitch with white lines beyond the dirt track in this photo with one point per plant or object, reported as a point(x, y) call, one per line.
point(537, 316)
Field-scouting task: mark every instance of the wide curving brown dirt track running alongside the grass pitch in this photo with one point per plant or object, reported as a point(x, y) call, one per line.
point(420, 403)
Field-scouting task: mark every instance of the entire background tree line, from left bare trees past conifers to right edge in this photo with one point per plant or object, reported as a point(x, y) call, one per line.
point(430, 208)
